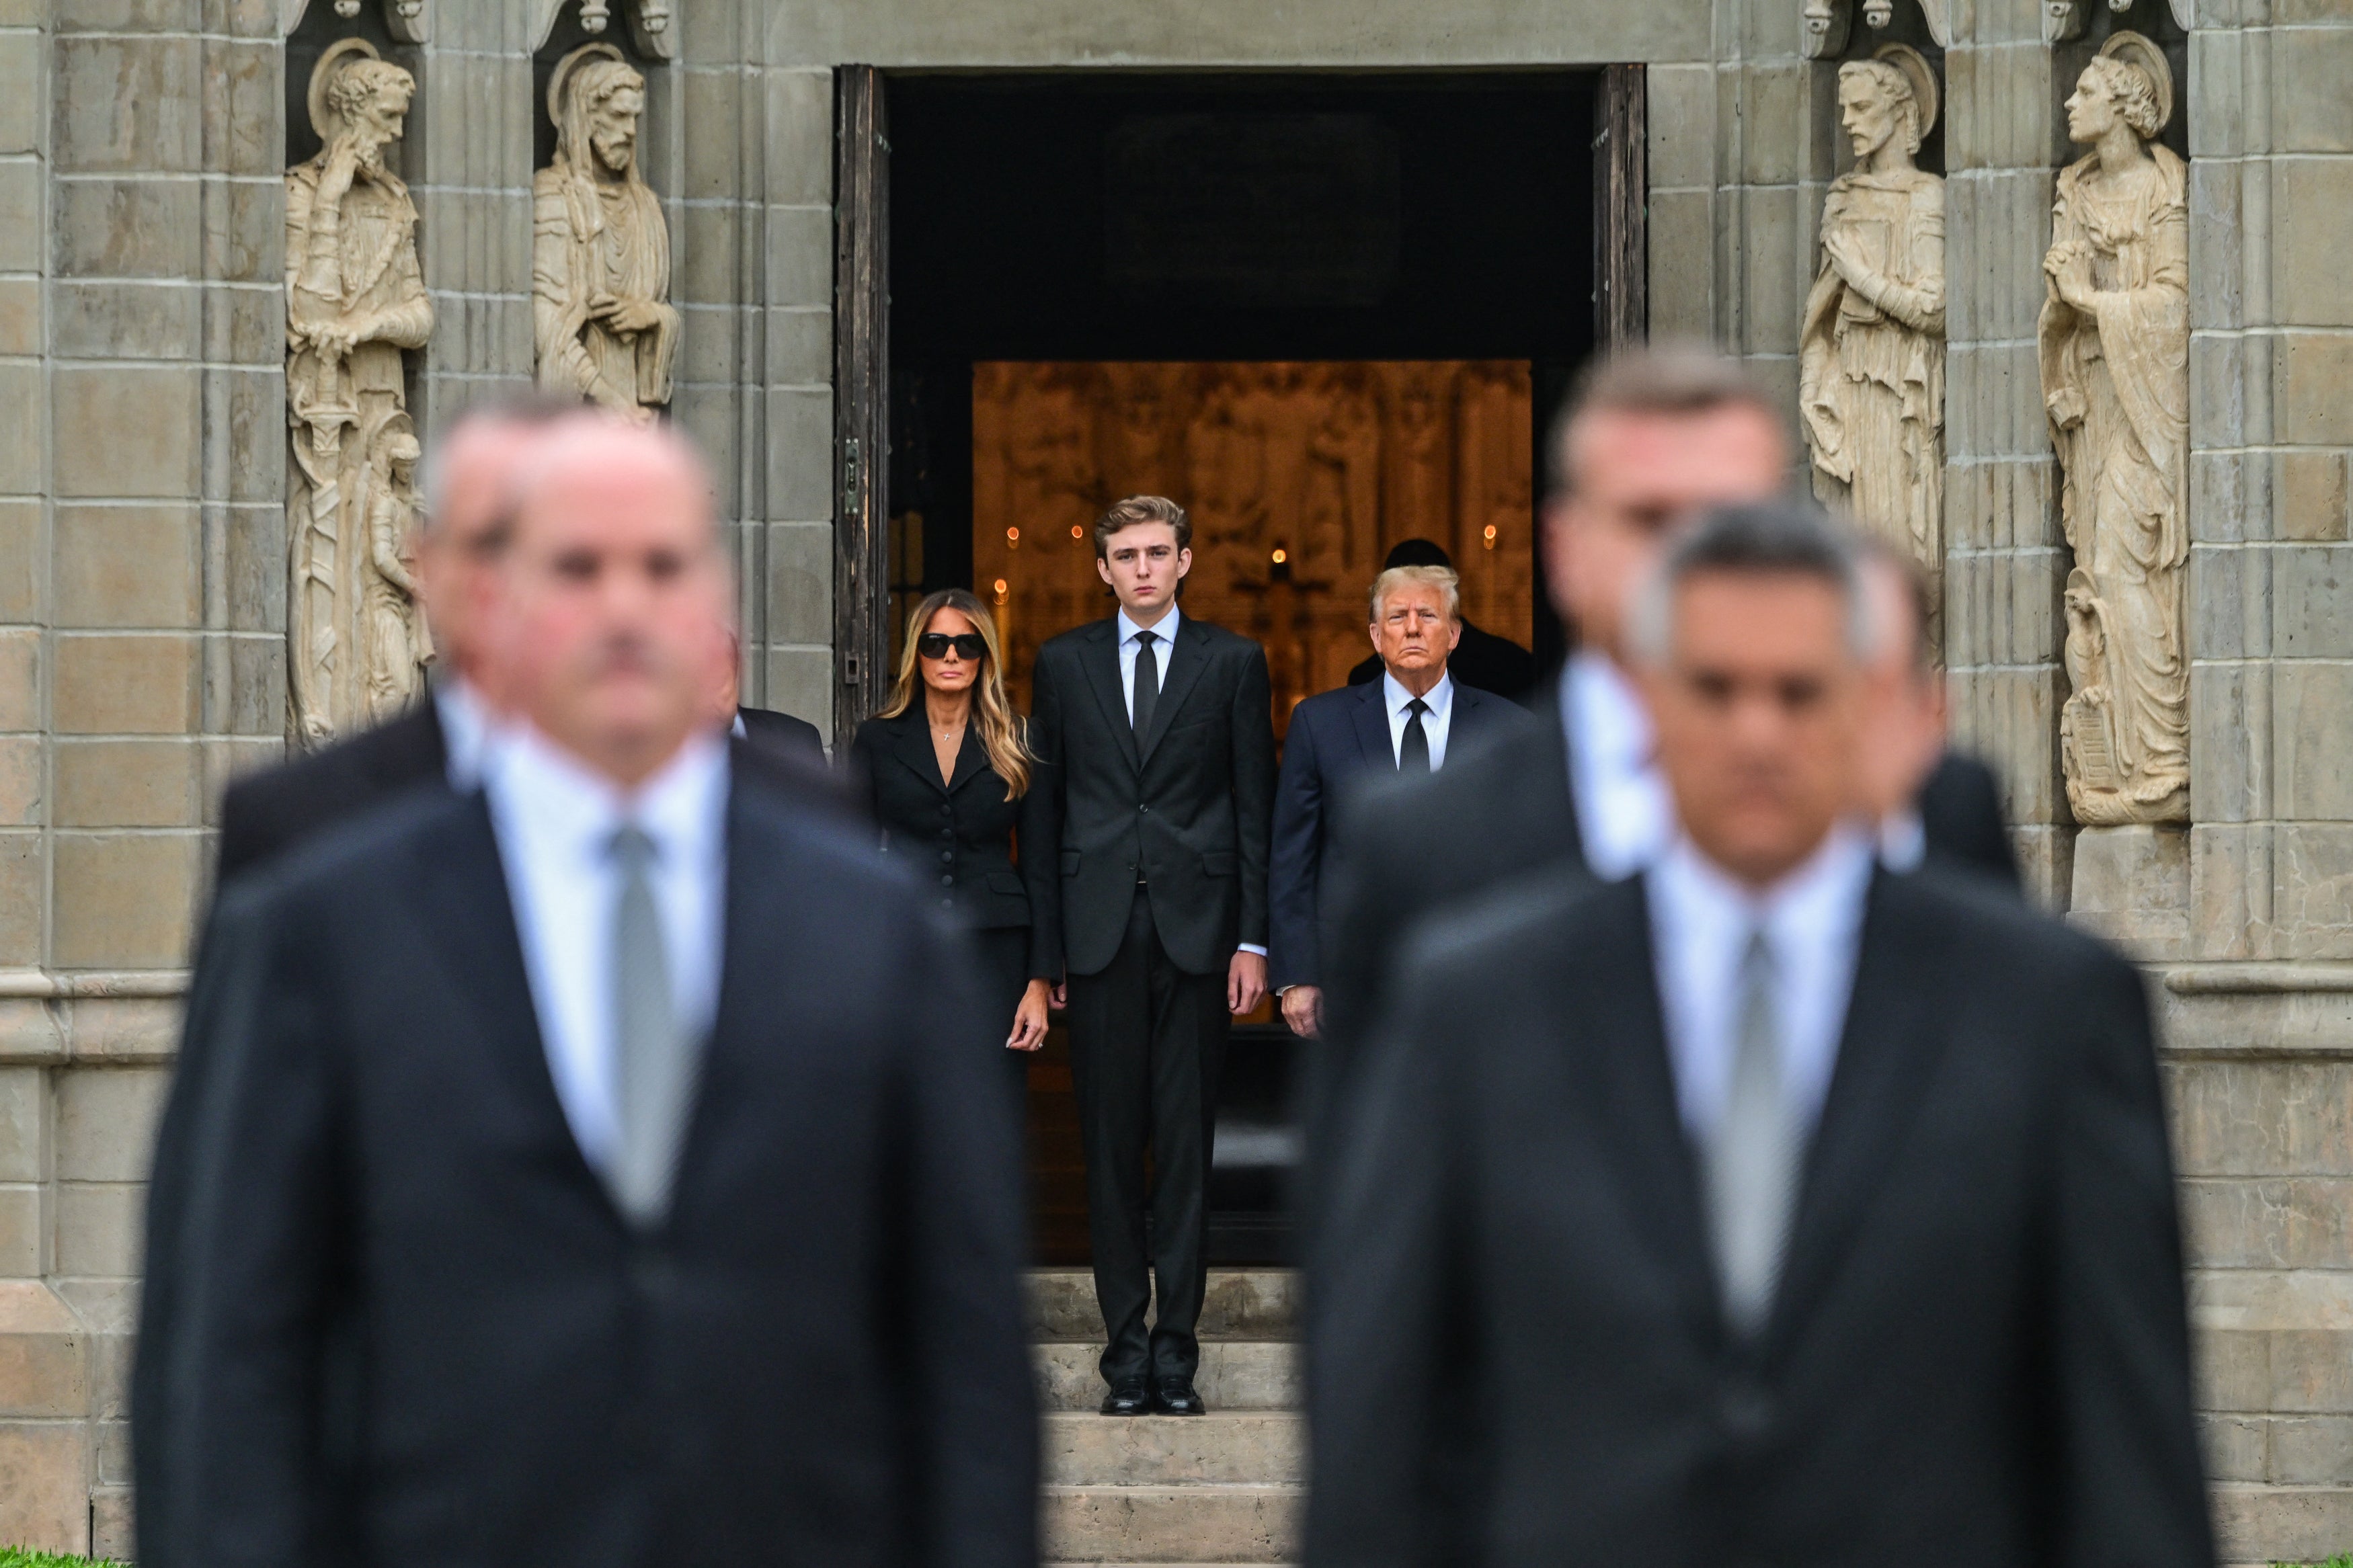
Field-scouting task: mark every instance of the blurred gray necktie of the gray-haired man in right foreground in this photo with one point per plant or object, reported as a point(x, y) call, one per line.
point(1752, 1167)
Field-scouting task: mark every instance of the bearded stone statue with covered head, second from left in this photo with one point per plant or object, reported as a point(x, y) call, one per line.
point(601, 253)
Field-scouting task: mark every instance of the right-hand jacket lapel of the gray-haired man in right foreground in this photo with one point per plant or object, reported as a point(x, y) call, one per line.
point(1886, 1059)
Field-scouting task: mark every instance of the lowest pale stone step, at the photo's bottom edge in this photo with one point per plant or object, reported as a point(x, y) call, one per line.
point(1171, 1525)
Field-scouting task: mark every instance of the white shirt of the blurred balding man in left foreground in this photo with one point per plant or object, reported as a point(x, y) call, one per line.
point(554, 822)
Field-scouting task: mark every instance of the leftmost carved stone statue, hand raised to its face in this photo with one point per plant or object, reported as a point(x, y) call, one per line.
point(356, 302)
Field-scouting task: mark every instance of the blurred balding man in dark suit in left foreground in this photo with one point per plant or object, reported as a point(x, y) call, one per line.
point(589, 1118)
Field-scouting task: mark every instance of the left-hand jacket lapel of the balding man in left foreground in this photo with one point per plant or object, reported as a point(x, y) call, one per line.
point(472, 918)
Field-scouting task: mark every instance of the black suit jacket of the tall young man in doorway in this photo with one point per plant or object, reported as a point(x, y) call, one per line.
point(1189, 805)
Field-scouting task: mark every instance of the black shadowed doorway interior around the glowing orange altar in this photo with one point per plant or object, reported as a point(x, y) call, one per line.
point(1218, 217)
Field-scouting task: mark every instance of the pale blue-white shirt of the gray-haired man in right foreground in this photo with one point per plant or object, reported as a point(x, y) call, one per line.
point(1700, 927)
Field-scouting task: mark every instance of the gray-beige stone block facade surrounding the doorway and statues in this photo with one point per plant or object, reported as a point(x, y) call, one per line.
point(145, 608)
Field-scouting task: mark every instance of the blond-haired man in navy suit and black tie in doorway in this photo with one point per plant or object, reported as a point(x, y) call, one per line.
point(1404, 725)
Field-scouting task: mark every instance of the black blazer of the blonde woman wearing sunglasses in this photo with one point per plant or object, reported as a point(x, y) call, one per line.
point(959, 836)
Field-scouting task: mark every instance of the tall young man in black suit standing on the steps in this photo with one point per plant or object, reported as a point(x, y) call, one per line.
point(1161, 770)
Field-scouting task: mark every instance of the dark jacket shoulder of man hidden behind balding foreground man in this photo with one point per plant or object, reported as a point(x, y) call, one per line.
point(265, 815)
